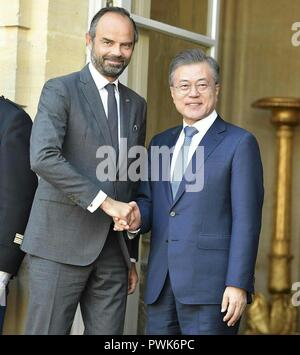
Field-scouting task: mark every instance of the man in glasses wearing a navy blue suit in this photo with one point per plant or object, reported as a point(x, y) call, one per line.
point(203, 243)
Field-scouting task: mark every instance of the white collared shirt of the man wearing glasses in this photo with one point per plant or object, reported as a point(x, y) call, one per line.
point(202, 126)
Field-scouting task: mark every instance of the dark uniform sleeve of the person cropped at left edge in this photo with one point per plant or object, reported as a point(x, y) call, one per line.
point(17, 187)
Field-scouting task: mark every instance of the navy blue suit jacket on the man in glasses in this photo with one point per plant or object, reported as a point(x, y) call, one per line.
point(206, 240)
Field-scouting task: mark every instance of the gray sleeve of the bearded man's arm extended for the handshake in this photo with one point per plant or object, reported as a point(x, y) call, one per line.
point(47, 139)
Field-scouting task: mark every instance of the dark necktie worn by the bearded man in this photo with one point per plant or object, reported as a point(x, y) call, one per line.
point(112, 116)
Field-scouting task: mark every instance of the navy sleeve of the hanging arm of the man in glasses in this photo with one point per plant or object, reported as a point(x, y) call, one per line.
point(247, 195)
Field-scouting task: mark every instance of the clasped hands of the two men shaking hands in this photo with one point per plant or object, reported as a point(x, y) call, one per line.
point(125, 215)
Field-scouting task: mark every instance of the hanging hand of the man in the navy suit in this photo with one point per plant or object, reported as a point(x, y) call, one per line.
point(234, 302)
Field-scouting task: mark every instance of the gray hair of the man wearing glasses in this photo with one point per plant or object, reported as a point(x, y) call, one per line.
point(193, 56)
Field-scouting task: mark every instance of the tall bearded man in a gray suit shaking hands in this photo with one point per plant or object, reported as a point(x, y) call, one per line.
point(75, 257)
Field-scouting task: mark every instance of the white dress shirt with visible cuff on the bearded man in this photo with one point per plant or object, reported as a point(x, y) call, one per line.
point(101, 82)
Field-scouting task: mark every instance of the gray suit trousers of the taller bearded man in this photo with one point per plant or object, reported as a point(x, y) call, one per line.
point(101, 290)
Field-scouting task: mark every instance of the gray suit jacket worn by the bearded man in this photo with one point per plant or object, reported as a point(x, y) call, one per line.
point(69, 128)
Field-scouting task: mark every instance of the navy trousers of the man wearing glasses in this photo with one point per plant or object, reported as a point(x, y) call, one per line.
point(167, 316)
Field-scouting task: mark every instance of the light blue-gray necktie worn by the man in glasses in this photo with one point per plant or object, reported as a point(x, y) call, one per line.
point(182, 159)
